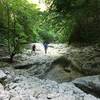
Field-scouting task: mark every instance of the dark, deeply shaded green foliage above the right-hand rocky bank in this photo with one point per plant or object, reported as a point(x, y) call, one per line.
point(84, 16)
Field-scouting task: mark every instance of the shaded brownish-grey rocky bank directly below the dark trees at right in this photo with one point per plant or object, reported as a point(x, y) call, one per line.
point(85, 59)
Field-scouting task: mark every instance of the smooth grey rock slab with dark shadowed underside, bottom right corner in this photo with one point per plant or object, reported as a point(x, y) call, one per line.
point(90, 84)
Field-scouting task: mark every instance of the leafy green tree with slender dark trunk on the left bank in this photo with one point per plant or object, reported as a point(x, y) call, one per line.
point(19, 18)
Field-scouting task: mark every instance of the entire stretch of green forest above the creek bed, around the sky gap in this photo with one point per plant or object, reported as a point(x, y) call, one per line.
point(64, 21)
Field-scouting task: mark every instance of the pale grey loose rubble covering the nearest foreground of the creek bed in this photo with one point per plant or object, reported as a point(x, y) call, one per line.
point(31, 88)
